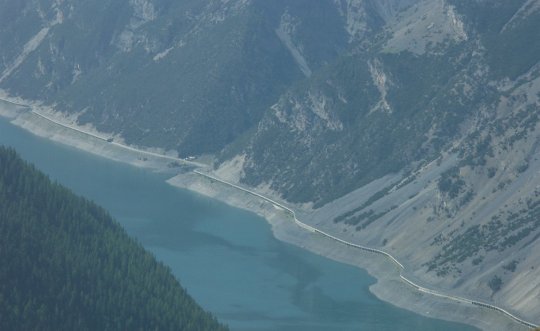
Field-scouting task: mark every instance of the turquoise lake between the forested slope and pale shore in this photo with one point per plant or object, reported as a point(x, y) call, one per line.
point(227, 258)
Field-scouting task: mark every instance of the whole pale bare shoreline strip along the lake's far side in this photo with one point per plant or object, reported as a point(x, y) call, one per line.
point(391, 285)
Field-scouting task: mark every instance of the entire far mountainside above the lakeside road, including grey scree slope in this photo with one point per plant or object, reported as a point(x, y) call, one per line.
point(408, 125)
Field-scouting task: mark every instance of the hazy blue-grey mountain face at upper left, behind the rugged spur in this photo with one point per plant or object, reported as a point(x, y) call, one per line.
point(185, 75)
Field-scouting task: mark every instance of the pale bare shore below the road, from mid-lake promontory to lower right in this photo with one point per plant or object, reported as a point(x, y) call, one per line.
point(389, 287)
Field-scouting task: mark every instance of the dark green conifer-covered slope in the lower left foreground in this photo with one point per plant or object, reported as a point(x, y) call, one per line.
point(67, 265)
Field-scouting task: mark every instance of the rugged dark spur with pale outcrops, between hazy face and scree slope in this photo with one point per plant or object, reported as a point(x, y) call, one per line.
point(375, 110)
